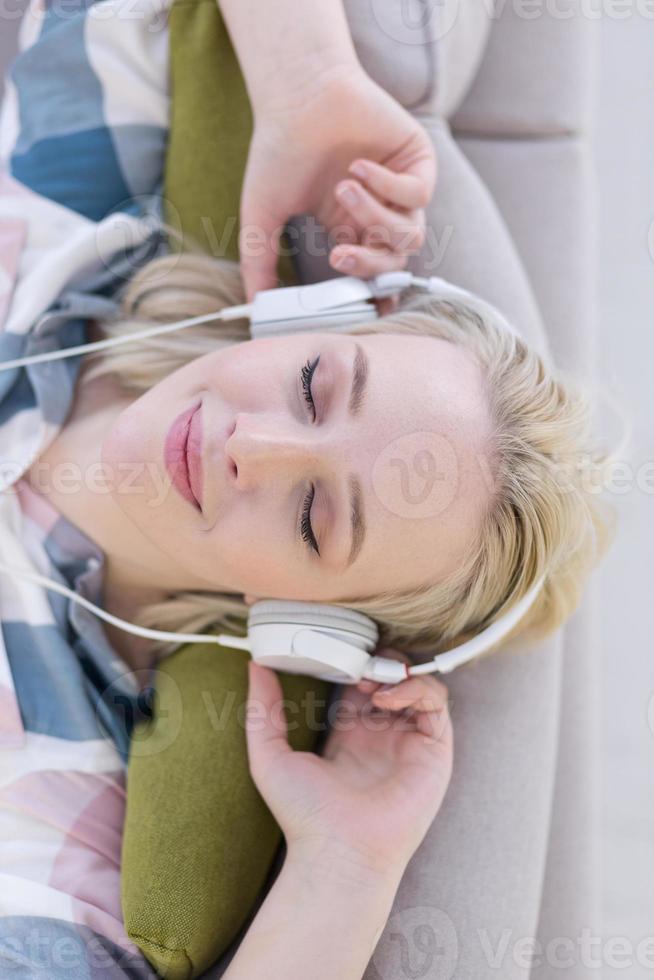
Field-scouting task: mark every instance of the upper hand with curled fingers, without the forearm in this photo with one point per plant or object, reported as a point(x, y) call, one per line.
point(345, 151)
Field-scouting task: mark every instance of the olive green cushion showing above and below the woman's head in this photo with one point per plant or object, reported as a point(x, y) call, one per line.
point(199, 841)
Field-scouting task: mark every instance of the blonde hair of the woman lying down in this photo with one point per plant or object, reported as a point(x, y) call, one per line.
point(546, 516)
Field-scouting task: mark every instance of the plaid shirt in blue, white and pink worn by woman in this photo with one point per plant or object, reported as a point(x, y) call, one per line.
point(82, 138)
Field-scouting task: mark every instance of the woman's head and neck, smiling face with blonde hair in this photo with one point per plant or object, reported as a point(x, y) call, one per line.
point(276, 447)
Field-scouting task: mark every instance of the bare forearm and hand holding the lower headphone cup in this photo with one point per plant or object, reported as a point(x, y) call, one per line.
point(351, 819)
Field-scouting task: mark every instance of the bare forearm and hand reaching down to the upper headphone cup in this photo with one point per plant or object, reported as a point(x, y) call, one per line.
point(328, 141)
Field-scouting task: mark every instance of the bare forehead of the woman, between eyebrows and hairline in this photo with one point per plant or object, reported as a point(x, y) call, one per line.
point(422, 459)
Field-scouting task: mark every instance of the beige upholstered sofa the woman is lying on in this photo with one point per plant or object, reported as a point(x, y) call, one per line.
point(513, 854)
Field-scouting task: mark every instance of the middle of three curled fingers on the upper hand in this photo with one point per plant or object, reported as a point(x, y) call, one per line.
point(382, 226)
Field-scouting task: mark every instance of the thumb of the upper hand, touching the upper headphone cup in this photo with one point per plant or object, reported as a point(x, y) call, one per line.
point(261, 228)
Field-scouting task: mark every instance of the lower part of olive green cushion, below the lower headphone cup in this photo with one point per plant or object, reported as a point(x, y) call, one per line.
point(199, 841)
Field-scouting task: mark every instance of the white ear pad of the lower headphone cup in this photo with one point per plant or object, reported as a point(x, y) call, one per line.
point(350, 625)
